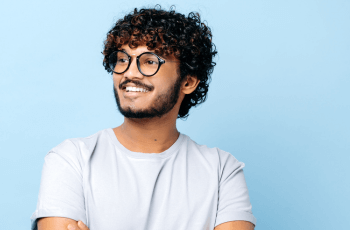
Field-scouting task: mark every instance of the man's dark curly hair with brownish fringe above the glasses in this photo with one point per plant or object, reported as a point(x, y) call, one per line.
point(169, 33)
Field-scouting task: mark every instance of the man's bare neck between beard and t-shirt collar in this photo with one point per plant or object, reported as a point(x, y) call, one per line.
point(148, 135)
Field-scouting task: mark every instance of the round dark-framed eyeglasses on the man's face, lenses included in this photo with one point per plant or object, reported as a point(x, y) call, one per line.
point(148, 63)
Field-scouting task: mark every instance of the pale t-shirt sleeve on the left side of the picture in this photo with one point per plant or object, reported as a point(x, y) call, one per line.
point(61, 187)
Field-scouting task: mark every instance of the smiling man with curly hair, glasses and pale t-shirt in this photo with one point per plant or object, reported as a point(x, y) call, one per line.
point(144, 174)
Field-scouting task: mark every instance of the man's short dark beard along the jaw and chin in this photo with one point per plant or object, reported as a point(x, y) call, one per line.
point(160, 106)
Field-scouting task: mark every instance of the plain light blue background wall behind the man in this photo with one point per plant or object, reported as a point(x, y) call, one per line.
point(278, 101)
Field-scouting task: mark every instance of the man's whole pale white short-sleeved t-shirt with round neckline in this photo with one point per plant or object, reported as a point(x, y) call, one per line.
point(99, 181)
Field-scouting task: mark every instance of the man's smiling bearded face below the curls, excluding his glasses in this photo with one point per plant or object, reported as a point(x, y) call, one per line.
point(155, 96)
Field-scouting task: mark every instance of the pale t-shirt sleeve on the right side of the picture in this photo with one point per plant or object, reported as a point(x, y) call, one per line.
point(234, 203)
